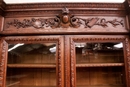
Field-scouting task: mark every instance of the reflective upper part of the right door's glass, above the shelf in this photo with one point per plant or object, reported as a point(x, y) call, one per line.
point(99, 52)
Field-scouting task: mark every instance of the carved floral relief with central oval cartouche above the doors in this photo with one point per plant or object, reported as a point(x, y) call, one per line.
point(64, 20)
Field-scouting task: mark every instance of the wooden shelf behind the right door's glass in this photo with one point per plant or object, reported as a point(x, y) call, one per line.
point(99, 64)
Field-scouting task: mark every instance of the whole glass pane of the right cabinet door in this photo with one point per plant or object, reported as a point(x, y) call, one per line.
point(100, 65)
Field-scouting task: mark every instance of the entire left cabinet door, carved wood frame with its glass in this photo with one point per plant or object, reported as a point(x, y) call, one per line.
point(32, 61)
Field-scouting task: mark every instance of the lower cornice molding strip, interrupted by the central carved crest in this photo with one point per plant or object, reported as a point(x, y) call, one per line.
point(54, 12)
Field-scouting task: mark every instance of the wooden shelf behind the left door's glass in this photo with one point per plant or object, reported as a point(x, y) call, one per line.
point(31, 65)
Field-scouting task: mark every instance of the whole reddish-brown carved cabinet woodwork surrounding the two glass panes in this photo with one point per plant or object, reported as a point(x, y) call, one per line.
point(64, 23)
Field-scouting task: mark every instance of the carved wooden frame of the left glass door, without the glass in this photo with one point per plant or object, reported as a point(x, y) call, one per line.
point(32, 39)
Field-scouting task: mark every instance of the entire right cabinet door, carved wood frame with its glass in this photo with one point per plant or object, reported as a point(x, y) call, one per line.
point(98, 61)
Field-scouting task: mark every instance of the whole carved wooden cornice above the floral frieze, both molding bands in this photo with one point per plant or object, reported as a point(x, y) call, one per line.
point(43, 9)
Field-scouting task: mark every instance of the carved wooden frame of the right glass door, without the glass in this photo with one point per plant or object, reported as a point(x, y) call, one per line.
point(96, 38)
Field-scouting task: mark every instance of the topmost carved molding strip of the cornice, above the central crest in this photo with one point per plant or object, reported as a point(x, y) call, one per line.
point(61, 5)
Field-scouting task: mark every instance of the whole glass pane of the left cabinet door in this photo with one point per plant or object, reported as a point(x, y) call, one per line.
point(31, 65)
